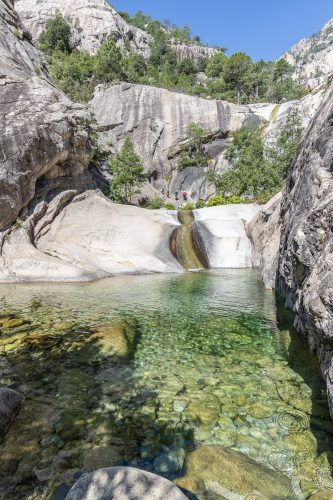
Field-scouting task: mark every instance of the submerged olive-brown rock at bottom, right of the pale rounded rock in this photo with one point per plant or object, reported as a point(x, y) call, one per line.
point(236, 473)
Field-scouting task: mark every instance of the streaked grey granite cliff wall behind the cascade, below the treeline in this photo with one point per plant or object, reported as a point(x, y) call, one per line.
point(157, 121)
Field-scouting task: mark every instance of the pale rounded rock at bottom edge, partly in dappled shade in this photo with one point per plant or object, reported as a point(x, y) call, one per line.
point(123, 483)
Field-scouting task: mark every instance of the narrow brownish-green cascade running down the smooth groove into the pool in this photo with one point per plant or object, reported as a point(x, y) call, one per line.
point(182, 243)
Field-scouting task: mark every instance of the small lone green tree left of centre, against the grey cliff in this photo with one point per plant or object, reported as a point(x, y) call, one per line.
point(127, 170)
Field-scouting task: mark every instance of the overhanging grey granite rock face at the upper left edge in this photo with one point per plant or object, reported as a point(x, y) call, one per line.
point(44, 135)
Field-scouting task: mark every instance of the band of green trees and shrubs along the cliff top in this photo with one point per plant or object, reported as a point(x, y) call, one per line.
point(236, 78)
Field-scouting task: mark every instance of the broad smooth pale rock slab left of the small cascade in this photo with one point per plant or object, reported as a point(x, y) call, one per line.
point(81, 237)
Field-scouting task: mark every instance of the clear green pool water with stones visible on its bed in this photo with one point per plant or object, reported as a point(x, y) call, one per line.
point(142, 370)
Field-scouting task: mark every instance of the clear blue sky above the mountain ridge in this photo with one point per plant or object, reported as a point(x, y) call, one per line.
point(262, 28)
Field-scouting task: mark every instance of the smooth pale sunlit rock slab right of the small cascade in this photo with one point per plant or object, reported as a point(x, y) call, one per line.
point(220, 234)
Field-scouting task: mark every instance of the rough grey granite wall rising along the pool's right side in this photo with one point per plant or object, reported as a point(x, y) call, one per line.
point(300, 266)
